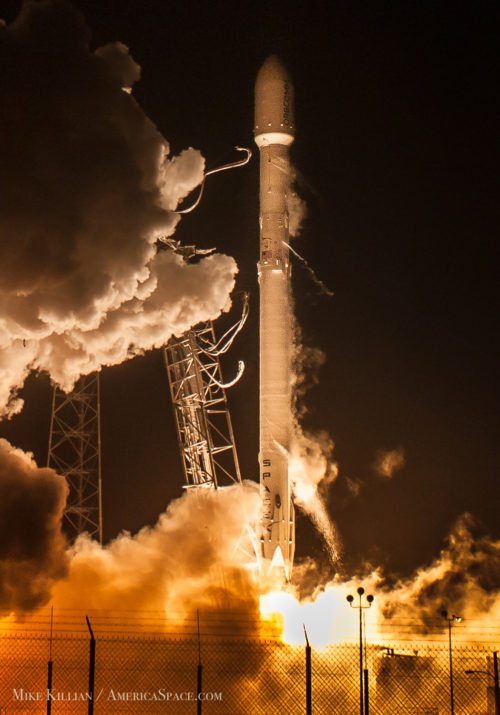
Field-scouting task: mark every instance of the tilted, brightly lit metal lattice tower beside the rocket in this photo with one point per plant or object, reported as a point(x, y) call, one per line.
point(204, 429)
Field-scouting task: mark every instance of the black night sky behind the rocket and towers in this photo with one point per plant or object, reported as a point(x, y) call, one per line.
point(397, 107)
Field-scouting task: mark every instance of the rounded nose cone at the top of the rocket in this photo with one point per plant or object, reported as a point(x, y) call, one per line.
point(274, 102)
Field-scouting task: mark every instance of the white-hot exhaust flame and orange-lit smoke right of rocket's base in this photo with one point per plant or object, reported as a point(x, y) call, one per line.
point(466, 577)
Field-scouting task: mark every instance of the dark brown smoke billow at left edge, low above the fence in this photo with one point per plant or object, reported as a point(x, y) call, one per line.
point(32, 548)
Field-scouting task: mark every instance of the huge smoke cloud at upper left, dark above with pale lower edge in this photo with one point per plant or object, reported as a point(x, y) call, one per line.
point(86, 185)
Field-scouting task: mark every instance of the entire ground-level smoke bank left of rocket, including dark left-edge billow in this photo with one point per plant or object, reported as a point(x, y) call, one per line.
point(196, 556)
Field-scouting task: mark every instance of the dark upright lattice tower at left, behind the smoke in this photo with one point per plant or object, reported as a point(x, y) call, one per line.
point(75, 452)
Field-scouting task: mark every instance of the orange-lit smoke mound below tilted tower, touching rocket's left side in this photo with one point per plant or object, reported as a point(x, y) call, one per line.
point(194, 557)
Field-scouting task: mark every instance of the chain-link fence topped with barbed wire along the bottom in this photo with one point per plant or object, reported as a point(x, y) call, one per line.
point(146, 674)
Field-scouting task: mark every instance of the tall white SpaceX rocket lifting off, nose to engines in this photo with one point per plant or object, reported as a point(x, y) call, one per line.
point(274, 132)
